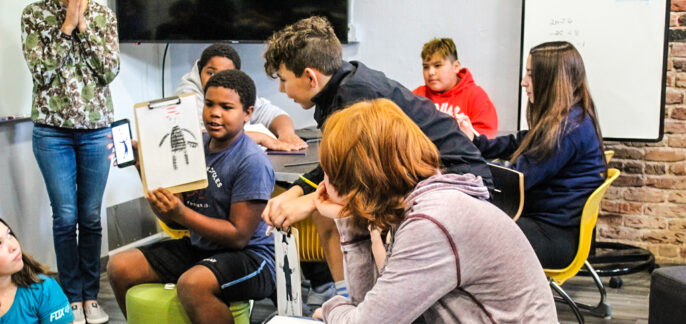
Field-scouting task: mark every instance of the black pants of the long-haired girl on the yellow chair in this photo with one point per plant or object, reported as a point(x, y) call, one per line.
point(554, 245)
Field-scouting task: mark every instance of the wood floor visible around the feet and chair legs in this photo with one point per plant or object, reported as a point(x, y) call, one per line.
point(629, 303)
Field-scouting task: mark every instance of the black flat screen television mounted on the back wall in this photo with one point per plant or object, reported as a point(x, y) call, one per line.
point(204, 21)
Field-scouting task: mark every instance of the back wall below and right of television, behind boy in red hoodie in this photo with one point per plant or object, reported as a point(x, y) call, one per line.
point(390, 39)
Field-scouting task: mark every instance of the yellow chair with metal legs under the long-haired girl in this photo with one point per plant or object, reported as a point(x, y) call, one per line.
point(557, 277)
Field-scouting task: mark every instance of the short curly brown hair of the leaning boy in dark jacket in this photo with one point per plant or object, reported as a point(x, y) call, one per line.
point(309, 42)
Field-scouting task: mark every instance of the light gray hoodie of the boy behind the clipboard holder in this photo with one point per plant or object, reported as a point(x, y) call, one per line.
point(264, 112)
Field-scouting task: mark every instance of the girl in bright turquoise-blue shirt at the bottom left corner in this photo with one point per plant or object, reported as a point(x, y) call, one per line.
point(27, 295)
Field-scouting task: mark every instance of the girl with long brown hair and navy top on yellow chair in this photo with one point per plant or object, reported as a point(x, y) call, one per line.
point(560, 155)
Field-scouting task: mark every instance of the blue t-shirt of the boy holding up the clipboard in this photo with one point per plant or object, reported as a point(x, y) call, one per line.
point(241, 172)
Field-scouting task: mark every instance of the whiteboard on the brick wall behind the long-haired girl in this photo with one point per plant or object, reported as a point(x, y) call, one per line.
point(624, 47)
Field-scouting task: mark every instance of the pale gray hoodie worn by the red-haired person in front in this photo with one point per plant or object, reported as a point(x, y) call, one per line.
point(454, 258)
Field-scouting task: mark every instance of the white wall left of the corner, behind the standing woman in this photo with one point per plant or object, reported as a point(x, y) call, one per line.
point(24, 201)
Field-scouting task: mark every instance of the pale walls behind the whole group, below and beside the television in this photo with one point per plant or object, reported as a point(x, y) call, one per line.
point(389, 39)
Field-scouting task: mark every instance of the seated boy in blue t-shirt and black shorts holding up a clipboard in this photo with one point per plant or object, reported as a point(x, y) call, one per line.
point(228, 257)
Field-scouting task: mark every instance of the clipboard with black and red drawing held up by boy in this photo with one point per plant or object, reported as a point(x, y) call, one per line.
point(170, 144)
